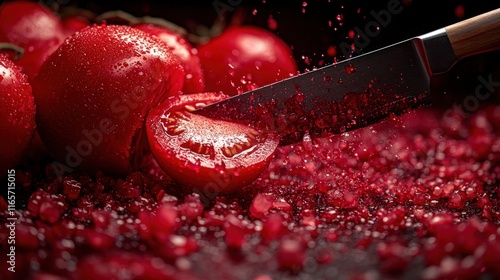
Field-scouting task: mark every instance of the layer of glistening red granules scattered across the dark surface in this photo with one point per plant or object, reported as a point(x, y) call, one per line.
point(422, 196)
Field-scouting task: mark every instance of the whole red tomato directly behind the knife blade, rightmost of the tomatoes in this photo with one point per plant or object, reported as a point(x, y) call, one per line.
point(243, 58)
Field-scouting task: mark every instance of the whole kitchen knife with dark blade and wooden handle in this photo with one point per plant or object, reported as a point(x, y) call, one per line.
point(363, 90)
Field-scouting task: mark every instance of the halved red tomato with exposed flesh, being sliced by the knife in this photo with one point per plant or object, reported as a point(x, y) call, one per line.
point(209, 155)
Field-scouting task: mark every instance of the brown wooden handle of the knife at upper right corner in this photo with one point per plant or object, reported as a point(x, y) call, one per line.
point(475, 35)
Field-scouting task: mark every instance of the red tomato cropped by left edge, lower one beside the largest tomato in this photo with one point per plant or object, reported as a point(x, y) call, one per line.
point(17, 116)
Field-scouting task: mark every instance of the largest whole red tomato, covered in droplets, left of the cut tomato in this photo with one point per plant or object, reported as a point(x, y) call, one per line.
point(94, 92)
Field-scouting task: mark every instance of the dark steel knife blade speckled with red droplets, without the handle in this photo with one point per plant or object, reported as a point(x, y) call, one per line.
point(337, 98)
